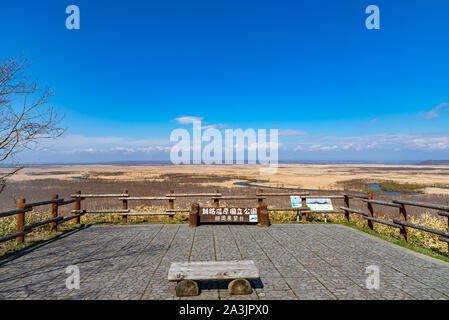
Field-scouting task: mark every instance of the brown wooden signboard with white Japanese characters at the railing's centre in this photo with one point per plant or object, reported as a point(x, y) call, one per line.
point(229, 214)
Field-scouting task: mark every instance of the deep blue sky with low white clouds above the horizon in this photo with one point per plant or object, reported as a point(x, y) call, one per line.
point(336, 90)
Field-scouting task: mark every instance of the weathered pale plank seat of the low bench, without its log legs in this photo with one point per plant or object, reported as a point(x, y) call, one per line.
point(213, 270)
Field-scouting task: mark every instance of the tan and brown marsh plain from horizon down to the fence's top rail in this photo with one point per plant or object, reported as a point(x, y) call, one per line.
point(38, 183)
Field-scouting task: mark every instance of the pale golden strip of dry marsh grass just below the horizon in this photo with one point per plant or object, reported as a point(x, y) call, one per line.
point(307, 176)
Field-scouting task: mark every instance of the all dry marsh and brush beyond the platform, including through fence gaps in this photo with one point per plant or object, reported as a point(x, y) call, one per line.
point(430, 184)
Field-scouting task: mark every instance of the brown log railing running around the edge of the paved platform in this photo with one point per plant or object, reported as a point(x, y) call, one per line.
point(402, 224)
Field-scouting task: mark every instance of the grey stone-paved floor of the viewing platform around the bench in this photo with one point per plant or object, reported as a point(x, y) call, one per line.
point(295, 262)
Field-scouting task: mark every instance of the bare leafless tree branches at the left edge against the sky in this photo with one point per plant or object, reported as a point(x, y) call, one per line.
point(26, 115)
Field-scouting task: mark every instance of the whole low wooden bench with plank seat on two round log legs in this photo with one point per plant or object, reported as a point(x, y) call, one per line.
point(188, 273)
